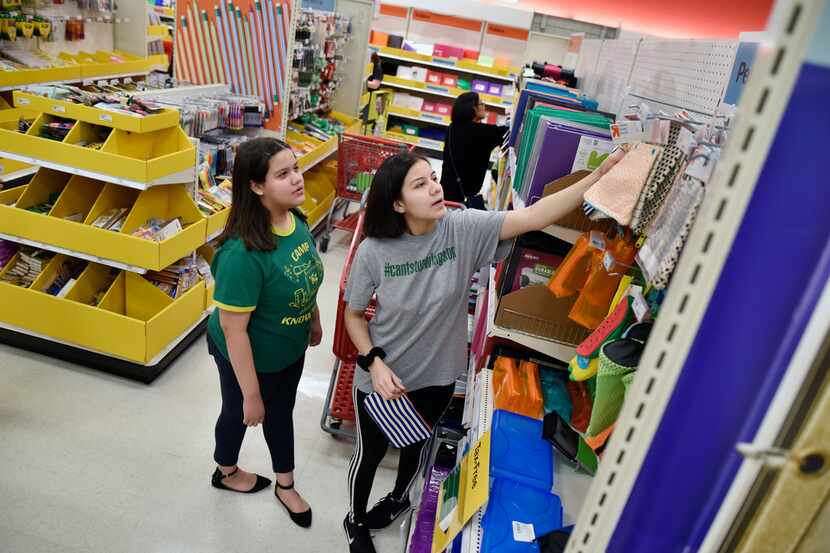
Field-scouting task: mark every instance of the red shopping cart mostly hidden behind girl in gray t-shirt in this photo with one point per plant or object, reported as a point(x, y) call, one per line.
point(338, 406)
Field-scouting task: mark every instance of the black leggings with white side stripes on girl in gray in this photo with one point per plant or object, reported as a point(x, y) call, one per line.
point(371, 446)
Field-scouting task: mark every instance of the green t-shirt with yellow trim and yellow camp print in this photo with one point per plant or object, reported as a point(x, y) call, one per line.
point(279, 289)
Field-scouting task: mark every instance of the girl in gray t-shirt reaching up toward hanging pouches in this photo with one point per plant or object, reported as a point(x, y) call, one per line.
point(417, 260)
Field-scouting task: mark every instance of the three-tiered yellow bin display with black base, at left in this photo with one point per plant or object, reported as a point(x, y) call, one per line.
point(134, 329)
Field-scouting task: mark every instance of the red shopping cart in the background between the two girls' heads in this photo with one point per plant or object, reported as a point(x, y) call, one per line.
point(358, 157)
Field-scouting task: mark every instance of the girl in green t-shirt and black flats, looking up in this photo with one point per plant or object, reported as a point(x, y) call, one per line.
point(267, 274)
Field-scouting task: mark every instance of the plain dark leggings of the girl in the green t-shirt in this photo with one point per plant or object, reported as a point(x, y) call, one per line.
point(278, 391)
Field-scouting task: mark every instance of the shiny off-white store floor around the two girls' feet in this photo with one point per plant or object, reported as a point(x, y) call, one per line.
point(96, 464)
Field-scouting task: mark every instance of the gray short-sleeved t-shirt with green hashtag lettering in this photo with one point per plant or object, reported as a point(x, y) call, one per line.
point(422, 285)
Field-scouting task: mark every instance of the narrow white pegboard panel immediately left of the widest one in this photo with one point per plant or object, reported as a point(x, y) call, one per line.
point(616, 60)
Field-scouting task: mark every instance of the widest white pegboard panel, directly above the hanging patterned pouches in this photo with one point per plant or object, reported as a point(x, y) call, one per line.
point(687, 74)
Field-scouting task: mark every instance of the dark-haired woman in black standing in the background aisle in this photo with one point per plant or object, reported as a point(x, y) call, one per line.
point(467, 151)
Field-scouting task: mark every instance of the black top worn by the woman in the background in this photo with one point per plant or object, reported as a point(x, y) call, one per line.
point(467, 150)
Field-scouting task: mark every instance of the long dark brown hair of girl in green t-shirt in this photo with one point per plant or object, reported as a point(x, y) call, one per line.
point(249, 220)
